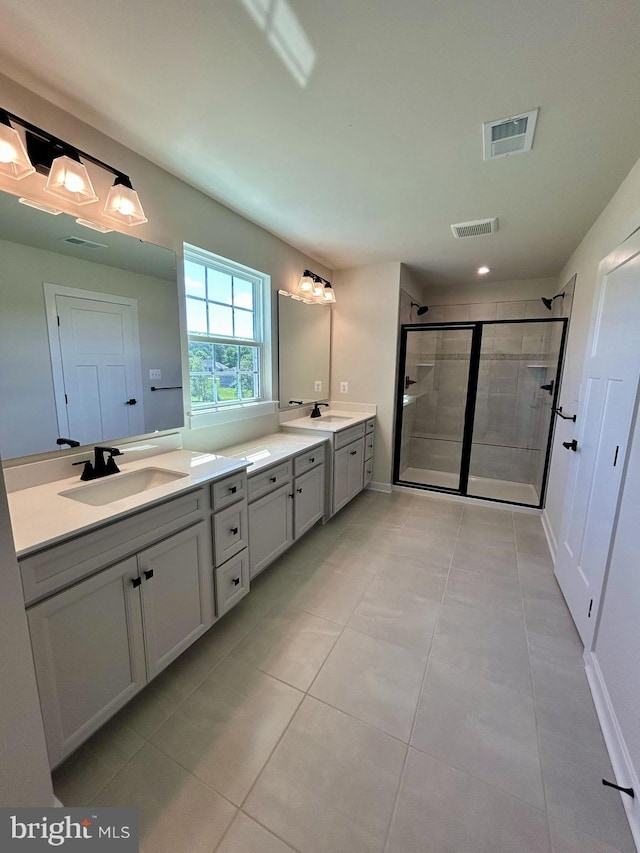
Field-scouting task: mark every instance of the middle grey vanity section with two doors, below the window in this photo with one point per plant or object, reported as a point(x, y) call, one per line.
point(285, 501)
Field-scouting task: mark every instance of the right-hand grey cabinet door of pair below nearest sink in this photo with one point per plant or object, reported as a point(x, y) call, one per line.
point(177, 594)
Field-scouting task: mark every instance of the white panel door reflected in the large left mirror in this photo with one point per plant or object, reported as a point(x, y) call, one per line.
point(95, 354)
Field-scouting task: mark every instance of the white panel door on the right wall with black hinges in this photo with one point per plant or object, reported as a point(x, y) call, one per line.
point(608, 399)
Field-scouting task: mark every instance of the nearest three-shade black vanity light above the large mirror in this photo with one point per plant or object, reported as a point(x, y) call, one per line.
point(67, 176)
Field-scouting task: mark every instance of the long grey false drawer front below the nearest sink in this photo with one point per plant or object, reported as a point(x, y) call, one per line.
point(61, 565)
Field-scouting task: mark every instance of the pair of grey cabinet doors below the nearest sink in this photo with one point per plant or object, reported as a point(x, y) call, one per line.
point(98, 642)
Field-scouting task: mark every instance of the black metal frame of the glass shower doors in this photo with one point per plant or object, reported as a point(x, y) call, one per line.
point(475, 353)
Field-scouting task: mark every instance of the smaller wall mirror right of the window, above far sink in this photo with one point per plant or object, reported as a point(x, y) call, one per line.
point(304, 347)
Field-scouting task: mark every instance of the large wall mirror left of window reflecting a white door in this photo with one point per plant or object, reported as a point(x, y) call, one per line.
point(88, 326)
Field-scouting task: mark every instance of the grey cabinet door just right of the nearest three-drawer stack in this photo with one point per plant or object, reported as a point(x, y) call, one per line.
point(270, 528)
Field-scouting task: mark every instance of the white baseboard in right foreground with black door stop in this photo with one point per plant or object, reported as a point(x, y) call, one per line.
point(623, 769)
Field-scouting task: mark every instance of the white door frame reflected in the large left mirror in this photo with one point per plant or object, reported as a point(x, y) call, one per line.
point(51, 315)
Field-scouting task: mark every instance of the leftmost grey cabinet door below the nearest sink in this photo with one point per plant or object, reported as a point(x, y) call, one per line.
point(88, 651)
